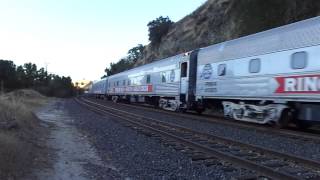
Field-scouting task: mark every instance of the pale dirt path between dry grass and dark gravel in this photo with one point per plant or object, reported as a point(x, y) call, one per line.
point(71, 150)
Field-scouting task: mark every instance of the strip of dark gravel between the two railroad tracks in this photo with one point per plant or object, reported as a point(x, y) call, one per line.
point(298, 147)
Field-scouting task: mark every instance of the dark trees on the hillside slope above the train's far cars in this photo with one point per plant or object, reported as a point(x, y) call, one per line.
point(157, 29)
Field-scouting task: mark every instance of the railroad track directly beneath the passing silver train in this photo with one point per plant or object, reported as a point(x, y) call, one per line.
point(293, 134)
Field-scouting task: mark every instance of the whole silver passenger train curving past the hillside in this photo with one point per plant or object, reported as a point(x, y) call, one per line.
point(271, 77)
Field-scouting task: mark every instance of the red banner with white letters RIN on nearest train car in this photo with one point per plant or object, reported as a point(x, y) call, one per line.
point(299, 84)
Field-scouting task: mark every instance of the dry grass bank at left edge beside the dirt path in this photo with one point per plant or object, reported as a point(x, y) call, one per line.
point(19, 132)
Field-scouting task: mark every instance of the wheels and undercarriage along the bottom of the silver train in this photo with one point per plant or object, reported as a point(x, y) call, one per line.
point(261, 112)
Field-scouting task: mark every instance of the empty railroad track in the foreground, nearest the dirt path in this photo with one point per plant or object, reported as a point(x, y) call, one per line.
point(208, 148)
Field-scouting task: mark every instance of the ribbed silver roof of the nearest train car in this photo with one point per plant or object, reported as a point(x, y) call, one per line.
point(296, 35)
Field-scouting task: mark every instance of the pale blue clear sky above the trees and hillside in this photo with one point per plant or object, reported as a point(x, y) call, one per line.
point(79, 38)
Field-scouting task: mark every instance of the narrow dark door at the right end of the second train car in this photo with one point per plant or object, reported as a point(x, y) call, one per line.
point(184, 81)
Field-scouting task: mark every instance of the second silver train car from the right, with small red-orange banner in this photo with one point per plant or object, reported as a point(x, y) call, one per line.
point(156, 83)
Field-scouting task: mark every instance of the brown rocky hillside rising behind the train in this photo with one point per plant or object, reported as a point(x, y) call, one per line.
point(221, 20)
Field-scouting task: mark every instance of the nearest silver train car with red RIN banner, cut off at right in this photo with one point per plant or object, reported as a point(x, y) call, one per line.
point(269, 77)
